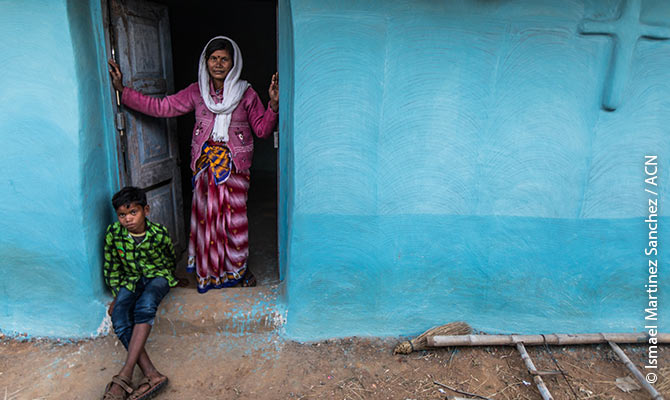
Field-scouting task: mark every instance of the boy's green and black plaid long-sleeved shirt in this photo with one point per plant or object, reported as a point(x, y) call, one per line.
point(126, 262)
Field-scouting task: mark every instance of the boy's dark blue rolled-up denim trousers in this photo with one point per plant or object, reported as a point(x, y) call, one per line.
point(138, 307)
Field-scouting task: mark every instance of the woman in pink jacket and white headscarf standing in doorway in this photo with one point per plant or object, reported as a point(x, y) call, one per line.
point(226, 109)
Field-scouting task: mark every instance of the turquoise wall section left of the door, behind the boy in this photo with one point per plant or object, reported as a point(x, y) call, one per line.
point(56, 159)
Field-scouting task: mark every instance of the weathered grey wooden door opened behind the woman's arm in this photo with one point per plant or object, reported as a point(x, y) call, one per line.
point(143, 51)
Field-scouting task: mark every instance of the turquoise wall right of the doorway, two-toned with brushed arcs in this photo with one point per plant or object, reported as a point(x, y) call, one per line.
point(454, 160)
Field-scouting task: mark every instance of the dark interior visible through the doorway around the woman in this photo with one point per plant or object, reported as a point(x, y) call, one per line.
point(252, 24)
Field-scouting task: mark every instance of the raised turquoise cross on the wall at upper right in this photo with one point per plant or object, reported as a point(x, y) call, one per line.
point(625, 31)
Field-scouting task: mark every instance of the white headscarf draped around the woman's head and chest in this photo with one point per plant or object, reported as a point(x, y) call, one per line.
point(233, 90)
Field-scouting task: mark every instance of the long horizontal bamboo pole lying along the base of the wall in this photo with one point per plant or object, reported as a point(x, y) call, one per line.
point(535, 340)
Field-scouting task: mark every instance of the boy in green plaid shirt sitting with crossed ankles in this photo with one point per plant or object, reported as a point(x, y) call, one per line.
point(139, 269)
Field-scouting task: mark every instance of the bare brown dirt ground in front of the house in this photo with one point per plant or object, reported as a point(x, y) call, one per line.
point(265, 366)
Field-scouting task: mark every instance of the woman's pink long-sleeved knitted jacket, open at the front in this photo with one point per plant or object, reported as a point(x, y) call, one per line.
point(249, 114)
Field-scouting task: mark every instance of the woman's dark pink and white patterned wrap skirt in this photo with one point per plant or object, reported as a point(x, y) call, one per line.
point(219, 241)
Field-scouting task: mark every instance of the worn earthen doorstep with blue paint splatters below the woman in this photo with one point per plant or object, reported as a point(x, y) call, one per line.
point(229, 311)
